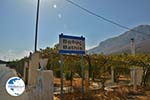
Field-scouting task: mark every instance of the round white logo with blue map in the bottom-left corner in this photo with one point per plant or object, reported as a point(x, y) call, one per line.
point(15, 86)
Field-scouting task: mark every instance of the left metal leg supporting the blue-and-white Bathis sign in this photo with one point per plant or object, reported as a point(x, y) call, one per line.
point(61, 71)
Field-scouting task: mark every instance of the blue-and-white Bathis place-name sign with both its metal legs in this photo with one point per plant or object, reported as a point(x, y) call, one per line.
point(71, 45)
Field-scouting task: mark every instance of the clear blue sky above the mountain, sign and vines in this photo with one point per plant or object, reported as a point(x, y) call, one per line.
point(17, 22)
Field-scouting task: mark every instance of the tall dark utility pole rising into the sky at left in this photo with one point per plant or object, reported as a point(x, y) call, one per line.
point(36, 28)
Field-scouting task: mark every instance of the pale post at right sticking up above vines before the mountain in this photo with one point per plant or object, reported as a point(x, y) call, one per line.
point(134, 69)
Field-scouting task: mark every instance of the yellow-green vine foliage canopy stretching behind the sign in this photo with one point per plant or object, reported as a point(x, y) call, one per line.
point(98, 65)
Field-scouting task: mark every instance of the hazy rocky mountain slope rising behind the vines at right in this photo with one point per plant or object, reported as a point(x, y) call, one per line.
point(121, 43)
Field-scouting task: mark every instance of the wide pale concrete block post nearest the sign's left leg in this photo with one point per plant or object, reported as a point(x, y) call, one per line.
point(44, 86)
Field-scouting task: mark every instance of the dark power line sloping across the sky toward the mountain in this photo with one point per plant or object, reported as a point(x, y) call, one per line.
point(101, 17)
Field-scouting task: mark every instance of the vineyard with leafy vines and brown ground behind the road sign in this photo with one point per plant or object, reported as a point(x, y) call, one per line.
point(99, 68)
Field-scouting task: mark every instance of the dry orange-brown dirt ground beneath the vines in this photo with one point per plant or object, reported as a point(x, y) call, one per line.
point(122, 92)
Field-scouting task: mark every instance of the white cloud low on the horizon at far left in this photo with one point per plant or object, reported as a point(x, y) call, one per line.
point(13, 55)
